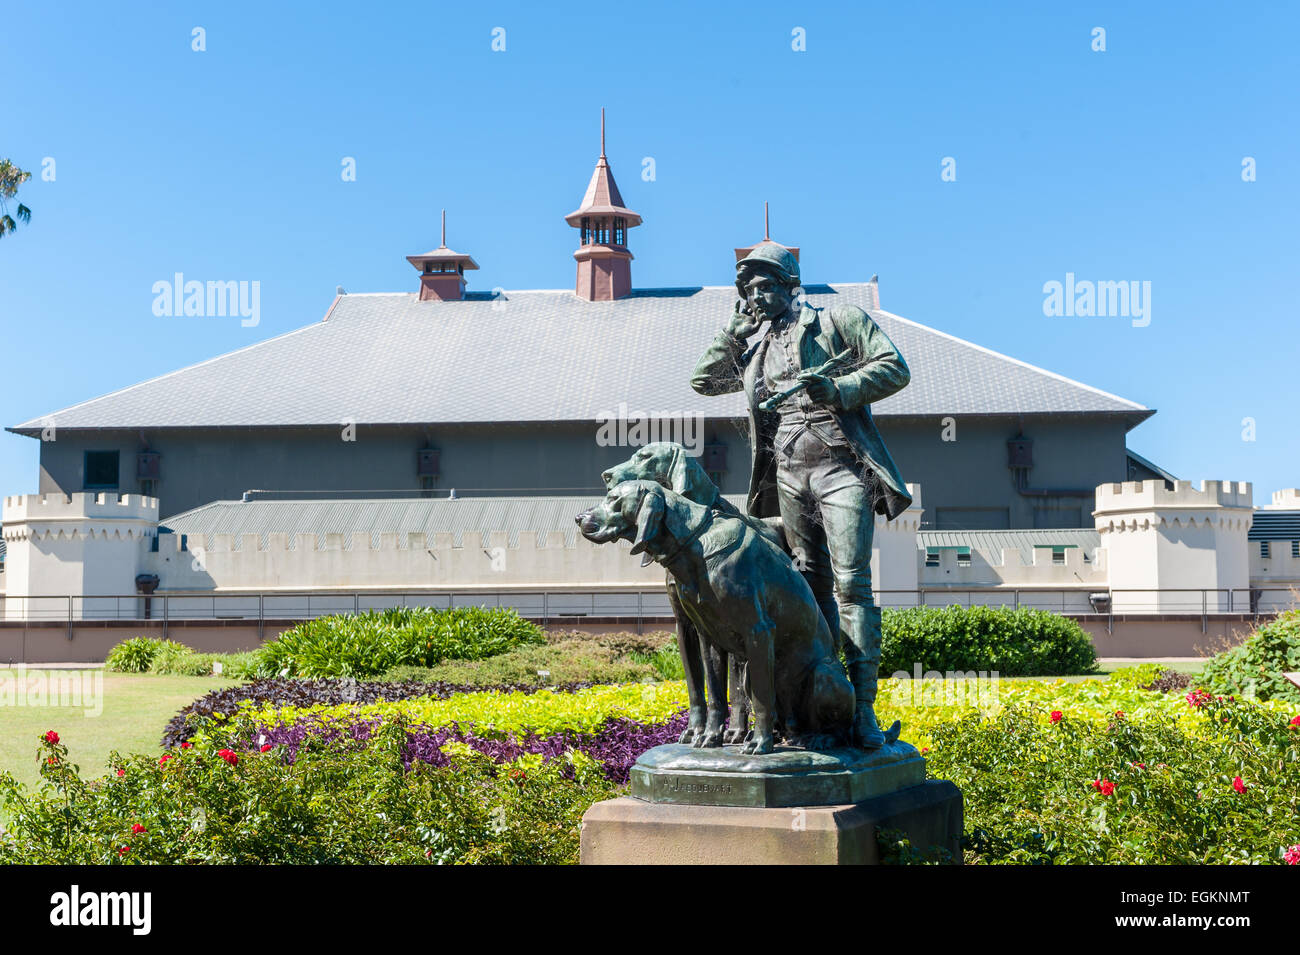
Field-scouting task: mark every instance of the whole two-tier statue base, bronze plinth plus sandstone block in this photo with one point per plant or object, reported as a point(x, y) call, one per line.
point(718, 808)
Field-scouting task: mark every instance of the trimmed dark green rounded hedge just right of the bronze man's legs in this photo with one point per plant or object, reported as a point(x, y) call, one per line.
point(1013, 643)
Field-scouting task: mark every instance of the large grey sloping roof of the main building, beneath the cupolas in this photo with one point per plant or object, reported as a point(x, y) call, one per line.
point(541, 357)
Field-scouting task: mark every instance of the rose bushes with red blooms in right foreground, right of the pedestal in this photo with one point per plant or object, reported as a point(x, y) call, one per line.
point(1050, 788)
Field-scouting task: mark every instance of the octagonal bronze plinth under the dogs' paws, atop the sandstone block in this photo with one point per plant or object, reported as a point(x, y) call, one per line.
point(790, 778)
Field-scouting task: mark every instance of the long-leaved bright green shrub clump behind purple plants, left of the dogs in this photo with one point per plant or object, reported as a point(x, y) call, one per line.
point(366, 645)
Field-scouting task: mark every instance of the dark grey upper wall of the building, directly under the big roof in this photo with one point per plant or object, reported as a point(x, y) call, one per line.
point(968, 483)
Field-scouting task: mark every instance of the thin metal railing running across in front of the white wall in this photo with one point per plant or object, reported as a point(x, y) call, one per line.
point(626, 605)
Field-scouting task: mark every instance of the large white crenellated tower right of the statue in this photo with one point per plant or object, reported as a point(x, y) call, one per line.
point(1182, 539)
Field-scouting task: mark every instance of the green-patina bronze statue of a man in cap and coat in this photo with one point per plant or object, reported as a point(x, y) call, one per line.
point(818, 459)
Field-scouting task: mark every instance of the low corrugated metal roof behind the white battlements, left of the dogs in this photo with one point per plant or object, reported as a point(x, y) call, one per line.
point(388, 516)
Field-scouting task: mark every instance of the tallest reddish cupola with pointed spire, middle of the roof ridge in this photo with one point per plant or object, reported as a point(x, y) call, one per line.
point(604, 261)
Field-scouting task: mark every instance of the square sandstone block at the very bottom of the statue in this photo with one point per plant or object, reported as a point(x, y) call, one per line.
point(635, 832)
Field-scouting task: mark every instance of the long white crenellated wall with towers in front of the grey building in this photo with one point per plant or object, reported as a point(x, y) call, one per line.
point(1152, 539)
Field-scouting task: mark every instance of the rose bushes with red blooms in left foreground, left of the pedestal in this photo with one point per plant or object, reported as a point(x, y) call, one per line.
point(331, 806)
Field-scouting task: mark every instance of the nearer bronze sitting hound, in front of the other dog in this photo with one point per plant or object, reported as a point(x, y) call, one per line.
point(744, 597)
